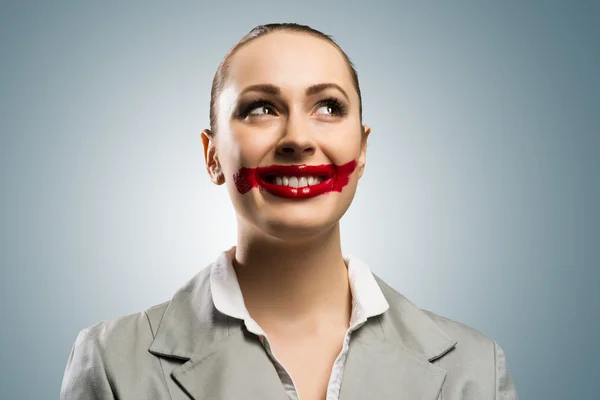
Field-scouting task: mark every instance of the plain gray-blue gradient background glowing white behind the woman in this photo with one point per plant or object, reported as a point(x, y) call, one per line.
point(480, 200)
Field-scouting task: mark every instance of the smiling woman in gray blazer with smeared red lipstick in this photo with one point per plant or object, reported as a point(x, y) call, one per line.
point(283, 314)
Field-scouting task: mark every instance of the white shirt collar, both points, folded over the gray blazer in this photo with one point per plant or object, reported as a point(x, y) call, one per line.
point(367, 298)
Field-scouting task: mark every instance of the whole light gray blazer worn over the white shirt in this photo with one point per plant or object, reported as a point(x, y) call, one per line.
point(185, 348)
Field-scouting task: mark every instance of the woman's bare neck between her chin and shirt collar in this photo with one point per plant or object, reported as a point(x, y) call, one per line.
point(300, 287)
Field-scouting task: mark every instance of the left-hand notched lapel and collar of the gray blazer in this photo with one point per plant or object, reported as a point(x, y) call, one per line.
point(209, 355)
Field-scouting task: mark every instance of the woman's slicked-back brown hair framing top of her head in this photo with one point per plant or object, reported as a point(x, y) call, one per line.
point(222, 74)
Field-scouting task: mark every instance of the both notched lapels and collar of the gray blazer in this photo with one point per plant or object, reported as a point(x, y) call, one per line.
point(389, 356)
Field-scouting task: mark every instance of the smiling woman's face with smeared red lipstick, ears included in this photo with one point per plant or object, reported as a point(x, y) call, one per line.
point(289, 145)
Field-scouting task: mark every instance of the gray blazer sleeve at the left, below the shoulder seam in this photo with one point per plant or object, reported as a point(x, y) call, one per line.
point(85, 377)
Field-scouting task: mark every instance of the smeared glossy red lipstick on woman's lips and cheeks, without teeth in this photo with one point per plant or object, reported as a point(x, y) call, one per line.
point(332, 179)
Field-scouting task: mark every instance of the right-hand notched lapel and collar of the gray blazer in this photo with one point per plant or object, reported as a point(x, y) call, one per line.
point(390, 356)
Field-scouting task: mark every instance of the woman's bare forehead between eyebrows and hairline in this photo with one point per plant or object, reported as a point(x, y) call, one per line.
point(290, 60)
